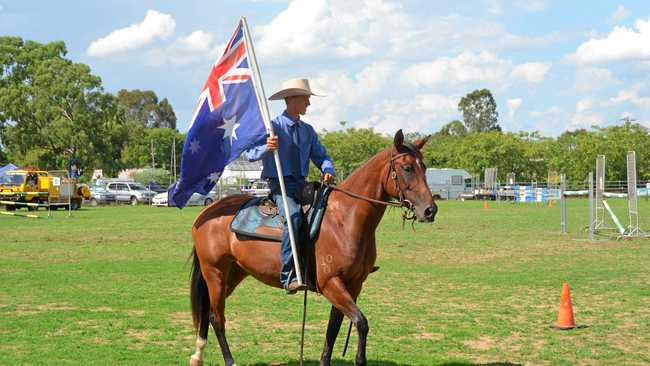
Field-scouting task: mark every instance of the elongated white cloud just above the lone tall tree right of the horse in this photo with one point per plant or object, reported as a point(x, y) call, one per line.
point(466, 67)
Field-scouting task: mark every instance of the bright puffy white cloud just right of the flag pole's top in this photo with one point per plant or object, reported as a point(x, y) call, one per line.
point(340, 28)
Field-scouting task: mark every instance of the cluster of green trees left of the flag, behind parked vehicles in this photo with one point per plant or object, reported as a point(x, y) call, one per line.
point(54, 111)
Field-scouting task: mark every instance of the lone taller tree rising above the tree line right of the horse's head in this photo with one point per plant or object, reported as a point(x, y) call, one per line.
point(479, 111)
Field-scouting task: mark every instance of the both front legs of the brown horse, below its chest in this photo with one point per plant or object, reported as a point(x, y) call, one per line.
point(344, 301)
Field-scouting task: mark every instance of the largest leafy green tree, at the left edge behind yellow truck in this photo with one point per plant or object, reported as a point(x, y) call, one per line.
point(53, 110)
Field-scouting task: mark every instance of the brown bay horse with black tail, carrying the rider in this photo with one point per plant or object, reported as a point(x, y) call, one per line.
point(345, 249)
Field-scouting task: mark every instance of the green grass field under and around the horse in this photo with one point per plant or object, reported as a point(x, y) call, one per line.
point(109, 286)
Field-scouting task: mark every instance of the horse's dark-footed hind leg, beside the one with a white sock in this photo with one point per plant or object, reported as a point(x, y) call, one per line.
point(216, 279)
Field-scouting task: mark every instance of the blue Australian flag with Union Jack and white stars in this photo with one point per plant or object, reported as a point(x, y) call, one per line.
point(227, 121)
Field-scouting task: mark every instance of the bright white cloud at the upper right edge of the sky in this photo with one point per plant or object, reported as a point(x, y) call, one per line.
point(621, 44)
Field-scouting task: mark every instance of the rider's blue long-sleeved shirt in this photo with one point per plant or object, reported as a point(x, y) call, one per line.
point(294, 159)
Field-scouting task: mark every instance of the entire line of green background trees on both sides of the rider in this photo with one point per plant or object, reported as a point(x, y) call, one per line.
point(53, 111)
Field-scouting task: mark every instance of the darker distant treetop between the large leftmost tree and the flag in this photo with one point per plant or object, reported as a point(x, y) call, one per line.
point(143, 107)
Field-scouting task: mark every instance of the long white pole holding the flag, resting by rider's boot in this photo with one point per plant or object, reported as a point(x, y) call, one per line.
point(266, 116)
